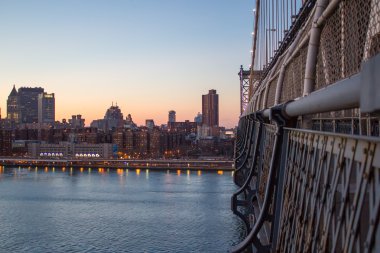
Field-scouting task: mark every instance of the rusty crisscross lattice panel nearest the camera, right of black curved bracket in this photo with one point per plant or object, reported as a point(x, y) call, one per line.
point(331, 193)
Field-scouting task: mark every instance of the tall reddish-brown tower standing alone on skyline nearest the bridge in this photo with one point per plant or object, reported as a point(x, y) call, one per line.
point(210, 109)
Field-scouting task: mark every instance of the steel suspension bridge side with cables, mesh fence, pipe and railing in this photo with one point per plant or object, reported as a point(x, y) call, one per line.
point(307, 154)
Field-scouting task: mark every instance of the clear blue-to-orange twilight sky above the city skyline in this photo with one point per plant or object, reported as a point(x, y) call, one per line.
point(149, 56)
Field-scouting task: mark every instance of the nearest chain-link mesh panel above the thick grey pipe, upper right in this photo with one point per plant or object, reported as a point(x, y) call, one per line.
point(343, 40)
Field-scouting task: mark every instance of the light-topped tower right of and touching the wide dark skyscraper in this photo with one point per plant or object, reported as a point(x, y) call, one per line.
point(46, 108)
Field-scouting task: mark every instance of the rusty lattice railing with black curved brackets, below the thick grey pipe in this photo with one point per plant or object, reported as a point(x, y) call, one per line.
point(310, 191)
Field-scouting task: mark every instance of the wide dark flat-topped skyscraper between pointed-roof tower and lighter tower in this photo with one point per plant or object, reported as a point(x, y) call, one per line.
point(28, 104)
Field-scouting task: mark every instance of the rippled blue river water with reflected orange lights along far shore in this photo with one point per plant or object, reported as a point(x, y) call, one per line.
point(84, 210)
